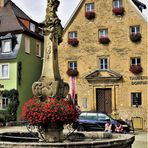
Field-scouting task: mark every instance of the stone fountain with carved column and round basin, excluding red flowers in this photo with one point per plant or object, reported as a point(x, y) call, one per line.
point(50, 85)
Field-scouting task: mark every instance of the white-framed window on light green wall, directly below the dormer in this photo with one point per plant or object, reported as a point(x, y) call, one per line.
point(4, 71)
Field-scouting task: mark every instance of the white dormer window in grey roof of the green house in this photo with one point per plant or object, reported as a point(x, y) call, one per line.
point(6, 46)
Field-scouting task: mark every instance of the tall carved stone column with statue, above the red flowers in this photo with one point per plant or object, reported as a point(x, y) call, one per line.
point(50, 83)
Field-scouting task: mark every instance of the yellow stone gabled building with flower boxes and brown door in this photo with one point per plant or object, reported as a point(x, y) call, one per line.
point(104, 53)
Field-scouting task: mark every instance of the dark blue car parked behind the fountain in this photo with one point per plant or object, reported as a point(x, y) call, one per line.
point(91, 121)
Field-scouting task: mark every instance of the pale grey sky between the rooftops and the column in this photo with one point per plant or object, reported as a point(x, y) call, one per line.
point(36, 9)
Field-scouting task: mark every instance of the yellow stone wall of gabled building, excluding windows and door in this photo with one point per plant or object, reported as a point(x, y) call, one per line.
point(118, 53)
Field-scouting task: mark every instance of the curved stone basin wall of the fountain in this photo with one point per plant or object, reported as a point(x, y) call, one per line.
point(92, 140)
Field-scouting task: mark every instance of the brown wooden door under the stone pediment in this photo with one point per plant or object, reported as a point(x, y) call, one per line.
point(103, 100)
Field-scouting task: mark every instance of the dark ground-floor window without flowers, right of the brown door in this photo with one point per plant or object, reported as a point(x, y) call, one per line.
point(136, 99)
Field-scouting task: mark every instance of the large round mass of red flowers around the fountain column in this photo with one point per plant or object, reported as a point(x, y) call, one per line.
point(52, 113)
